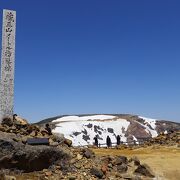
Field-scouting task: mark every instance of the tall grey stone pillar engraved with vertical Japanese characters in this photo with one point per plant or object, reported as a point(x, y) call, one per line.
point(7, 64)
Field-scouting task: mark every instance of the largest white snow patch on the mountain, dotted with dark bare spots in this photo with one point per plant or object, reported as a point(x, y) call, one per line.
point(82, 130)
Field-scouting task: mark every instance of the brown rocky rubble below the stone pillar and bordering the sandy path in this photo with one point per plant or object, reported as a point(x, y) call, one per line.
point(59, 160)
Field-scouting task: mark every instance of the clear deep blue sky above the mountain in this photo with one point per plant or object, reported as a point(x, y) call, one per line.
point(97, 56)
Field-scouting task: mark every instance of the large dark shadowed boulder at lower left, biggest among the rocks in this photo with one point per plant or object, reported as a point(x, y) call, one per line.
point(32, 158)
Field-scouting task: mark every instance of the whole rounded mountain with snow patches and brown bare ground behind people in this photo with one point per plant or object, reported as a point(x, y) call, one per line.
point(82, 129)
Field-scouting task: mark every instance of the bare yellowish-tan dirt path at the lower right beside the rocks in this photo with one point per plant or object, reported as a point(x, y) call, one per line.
point(164, 161)
